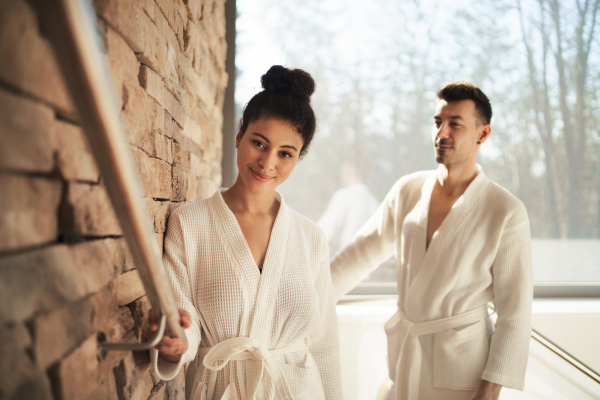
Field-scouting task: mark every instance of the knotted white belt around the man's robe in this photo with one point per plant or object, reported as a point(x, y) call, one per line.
point(410, 345)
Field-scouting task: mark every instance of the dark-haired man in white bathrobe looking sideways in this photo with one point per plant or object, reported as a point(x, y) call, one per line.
point(460, 242)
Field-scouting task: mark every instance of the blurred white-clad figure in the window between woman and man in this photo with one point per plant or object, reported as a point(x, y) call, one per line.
point(348, 209)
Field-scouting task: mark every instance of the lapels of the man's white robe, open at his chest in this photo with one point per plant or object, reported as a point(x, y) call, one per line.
point(458, 215)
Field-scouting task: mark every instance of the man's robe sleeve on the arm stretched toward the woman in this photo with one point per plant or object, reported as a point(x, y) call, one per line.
point(372, 245)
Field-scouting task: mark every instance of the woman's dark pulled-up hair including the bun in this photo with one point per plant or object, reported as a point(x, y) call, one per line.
point(286, 96)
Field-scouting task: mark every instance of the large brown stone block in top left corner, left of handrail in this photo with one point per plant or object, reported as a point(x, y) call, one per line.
point(28, 62)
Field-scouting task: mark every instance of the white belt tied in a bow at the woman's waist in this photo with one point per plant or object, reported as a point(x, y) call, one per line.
point(243, 348)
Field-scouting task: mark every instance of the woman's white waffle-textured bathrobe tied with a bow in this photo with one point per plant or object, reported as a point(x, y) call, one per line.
point(278, 329)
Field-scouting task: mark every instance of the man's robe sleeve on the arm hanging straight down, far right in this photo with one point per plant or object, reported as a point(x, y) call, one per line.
point(513, 294)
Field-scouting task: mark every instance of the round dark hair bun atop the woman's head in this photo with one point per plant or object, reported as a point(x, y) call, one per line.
point(288, 81)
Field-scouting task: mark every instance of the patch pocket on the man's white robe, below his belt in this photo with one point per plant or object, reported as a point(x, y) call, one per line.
point(459, 357)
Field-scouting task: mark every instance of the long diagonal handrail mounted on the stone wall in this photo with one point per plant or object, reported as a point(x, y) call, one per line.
point(70, 26)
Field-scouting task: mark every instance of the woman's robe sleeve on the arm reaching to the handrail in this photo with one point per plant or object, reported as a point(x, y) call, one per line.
point(178, 274)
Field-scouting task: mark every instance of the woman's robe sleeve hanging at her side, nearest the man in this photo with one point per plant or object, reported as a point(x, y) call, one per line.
point(324, 341)
